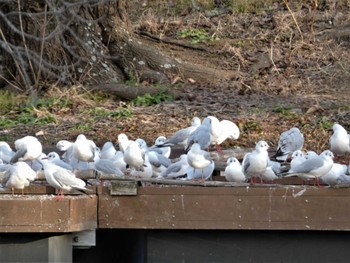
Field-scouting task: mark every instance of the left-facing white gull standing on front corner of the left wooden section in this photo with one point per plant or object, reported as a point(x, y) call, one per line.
point(61, 179)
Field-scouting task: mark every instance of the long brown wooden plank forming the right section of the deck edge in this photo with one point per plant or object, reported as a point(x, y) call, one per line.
point(228, 208)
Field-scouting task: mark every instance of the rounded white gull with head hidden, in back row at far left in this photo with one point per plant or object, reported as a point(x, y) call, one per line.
point(28, 148)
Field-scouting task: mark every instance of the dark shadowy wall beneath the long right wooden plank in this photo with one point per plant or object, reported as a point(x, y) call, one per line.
point(216, 246)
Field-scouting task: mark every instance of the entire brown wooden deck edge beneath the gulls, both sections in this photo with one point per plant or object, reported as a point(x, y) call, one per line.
point(155, 205)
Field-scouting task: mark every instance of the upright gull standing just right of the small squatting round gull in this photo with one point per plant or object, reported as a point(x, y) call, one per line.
point(255, 163)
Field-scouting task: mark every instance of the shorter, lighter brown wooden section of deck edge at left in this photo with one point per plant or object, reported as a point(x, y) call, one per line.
point(42, 213)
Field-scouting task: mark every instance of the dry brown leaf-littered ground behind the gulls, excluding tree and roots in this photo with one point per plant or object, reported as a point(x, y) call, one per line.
point(281, 68)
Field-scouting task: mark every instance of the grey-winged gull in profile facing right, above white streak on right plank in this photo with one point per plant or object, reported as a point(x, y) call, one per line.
point(314, 167)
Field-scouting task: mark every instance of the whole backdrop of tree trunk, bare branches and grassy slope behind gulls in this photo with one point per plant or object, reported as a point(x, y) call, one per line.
point(147, 67)
